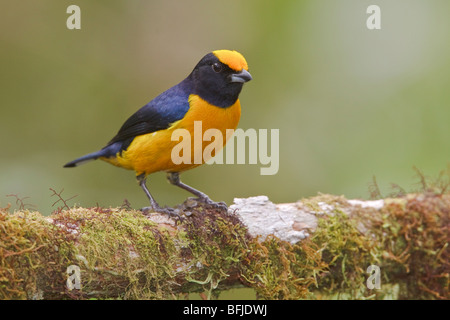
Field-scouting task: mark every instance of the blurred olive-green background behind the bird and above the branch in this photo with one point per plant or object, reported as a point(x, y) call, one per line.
point(350, 103)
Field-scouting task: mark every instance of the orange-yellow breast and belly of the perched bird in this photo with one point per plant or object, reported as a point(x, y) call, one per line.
point(152, 152)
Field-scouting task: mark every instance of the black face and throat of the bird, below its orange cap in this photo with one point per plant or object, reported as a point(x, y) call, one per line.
point(213, 82)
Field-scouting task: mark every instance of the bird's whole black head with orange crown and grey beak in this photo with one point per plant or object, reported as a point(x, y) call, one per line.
point(219, 77)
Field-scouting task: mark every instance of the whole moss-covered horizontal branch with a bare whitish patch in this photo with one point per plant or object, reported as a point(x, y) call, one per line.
point(316, 248)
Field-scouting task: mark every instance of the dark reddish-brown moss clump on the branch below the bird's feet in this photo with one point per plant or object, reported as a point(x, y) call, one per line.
point(218, 242)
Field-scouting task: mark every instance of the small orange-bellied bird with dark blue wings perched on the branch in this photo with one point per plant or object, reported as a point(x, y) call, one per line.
point(144, 143)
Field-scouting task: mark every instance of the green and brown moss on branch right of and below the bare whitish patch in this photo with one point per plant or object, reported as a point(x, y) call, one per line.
point(408, 240)
